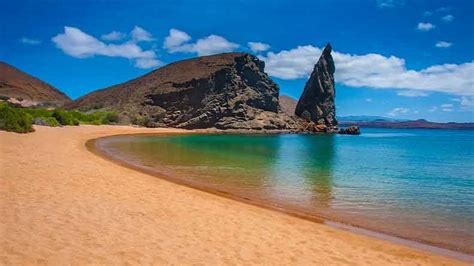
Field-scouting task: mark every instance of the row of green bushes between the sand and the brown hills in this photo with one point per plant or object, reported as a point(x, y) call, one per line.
point(20, 120)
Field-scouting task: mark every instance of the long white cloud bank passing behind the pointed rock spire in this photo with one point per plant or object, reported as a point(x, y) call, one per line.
point(373, 71)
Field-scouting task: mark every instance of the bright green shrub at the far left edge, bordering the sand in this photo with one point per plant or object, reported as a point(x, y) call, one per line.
point(15, 120)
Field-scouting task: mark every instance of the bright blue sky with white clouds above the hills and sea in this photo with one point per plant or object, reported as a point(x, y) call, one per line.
point(404, 59)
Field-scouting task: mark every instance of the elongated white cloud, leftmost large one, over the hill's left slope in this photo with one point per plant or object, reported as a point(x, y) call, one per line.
point(77, 43)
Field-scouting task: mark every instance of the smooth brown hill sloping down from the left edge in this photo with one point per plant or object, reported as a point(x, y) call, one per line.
point(17, 84)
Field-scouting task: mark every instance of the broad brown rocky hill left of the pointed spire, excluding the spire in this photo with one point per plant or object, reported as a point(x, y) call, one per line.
point(226, 91)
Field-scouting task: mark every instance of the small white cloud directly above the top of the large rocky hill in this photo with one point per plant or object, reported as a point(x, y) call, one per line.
point(178, 41)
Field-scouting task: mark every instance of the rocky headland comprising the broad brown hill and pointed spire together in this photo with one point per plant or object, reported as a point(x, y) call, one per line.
point(227, 91)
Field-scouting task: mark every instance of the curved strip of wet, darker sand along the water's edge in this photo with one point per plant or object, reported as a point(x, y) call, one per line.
point(414, 243)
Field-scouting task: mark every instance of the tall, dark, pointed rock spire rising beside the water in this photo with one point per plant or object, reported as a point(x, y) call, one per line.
point(316, 104)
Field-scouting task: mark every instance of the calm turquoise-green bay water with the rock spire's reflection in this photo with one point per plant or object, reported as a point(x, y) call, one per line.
point(415, 184)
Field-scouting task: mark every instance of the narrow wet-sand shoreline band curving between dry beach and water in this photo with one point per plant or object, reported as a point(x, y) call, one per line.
point(97, 146)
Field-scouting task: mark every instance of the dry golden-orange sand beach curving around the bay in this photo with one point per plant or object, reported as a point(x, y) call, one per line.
point(61, 203)
